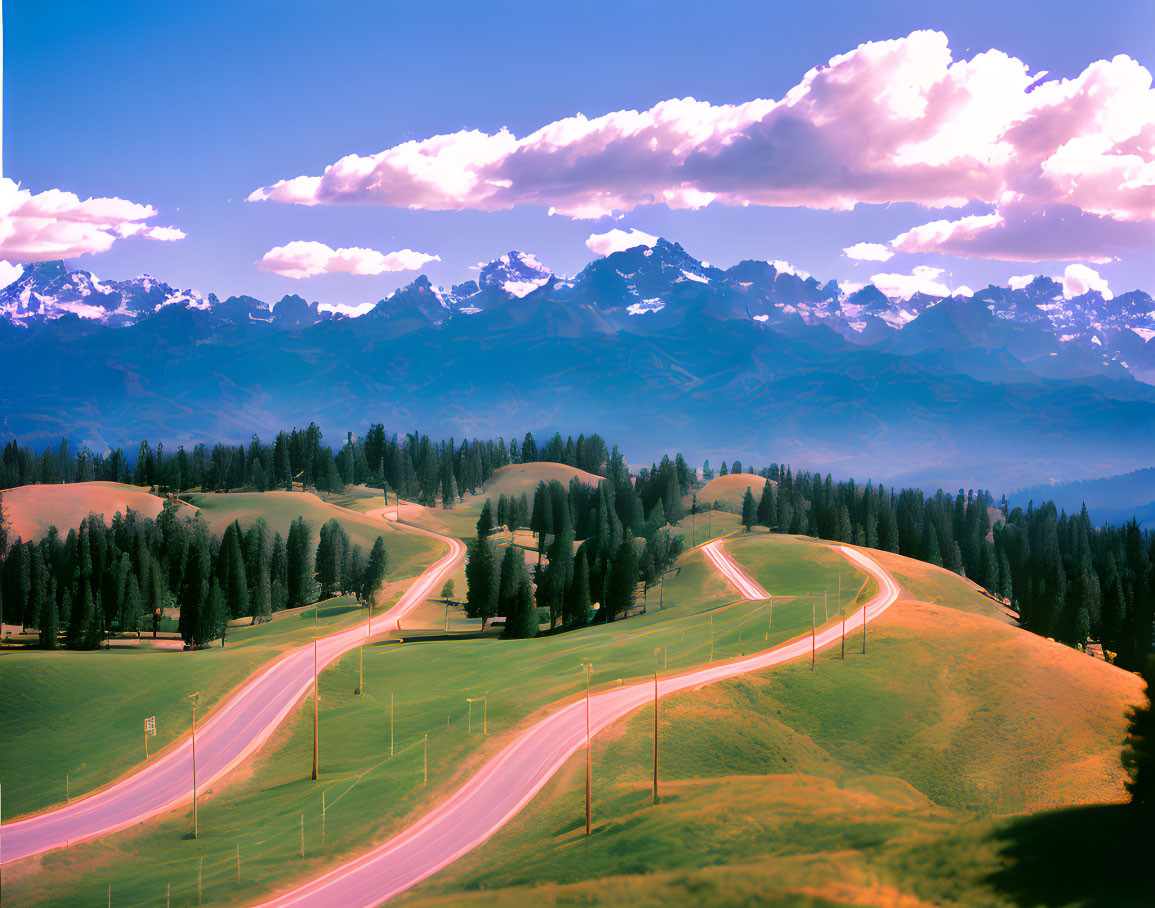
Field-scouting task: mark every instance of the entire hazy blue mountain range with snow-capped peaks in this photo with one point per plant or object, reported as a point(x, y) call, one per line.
point(649, 346)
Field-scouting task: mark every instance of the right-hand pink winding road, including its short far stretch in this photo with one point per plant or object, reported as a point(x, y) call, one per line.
point(508, 783)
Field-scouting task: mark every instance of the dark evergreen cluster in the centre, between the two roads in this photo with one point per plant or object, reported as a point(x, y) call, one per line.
point(610, 520)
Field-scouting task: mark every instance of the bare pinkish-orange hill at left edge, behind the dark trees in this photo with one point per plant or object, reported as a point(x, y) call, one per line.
point(31, 510)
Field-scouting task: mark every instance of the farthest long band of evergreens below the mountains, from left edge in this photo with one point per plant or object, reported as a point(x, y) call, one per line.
point(418, 467)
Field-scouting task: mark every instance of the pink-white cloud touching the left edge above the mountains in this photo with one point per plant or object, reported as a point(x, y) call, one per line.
point(56, 225)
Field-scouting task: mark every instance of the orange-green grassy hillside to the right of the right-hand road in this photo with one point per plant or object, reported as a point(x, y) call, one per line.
point(886, 779)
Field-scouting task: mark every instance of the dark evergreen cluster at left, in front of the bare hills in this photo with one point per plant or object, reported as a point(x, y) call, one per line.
point(101, 578)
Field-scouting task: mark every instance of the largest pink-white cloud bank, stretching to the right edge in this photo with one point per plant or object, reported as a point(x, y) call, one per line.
point(895, 121)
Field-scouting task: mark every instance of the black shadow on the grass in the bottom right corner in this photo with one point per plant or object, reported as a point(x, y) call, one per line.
point(1092, 857)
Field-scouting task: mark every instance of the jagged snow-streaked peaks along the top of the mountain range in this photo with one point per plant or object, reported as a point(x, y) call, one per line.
point(1107, 334)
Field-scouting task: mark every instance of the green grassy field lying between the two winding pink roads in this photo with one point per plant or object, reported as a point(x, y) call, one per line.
point(371, 795)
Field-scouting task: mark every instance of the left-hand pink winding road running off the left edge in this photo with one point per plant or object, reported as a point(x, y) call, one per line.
point(230, 734)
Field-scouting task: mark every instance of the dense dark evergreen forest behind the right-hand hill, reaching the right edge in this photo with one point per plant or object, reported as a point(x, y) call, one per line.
point(1064, 577)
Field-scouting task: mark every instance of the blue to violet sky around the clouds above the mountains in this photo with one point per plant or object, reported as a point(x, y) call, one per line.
point(190, 108)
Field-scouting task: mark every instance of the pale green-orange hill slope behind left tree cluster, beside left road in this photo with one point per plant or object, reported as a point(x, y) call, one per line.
point(409, 553)
